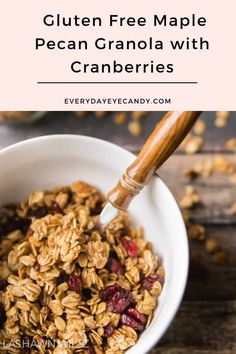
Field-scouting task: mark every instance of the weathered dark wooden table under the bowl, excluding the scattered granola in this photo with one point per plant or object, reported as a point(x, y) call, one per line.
point(206, 320)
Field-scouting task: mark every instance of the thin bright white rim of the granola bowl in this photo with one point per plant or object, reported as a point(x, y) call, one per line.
point(184, 239)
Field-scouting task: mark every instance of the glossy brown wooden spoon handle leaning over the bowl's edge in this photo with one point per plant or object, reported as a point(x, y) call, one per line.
point(163, 141)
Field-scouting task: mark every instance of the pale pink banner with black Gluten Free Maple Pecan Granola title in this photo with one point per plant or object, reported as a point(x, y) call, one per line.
point(66, 55)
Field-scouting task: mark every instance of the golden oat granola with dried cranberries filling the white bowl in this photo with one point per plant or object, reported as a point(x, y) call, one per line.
point(67, 287)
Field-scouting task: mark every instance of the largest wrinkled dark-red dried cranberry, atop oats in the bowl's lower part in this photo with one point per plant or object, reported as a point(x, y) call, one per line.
point(120, 301)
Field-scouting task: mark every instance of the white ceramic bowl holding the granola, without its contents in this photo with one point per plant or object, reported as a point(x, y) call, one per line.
point(45, 162)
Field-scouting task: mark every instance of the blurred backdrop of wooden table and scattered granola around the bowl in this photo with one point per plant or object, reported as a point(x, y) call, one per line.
point(202, 176)
